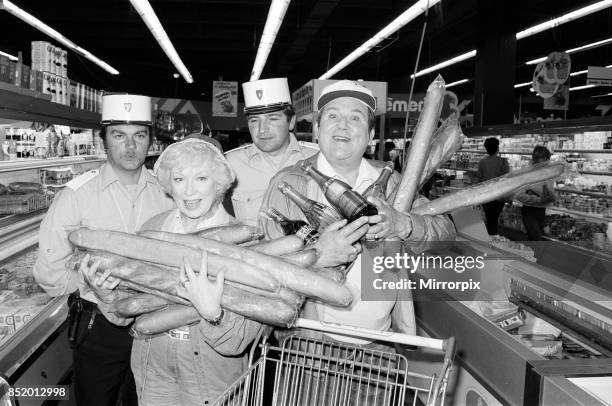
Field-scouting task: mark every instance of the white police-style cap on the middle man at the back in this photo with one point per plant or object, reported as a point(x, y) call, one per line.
point(266, 95)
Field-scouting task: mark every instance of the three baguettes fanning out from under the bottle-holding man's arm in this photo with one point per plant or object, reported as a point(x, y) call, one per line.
point(431, 147)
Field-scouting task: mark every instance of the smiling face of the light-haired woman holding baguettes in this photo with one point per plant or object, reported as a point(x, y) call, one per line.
point(194, 190)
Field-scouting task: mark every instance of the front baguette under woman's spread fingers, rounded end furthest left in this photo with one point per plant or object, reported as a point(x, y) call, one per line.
point(170, 254)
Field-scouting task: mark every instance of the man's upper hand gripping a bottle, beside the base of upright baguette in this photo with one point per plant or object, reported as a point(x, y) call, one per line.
point(388, 223)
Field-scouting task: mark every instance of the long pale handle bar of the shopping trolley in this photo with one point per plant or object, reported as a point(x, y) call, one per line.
point(360, 332)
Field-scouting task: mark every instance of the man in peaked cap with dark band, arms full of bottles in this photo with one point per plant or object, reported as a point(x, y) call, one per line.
point(345, 126)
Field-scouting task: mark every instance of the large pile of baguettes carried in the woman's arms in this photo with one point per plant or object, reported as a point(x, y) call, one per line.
point(264, 281)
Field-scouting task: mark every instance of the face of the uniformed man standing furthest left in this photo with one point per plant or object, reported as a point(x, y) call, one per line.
point(127, 146)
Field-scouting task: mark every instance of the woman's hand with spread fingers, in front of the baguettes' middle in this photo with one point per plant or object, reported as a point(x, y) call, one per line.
point(204, 295)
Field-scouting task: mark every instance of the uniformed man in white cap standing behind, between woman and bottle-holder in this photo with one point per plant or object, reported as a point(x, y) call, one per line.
point(271, 119)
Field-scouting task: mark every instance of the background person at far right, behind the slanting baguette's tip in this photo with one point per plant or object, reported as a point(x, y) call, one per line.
point(536, 198)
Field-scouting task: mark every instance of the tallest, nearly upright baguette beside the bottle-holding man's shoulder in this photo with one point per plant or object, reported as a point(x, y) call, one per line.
point(419, 147)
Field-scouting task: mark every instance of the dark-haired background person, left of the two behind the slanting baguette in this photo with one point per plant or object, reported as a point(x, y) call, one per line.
point(489, 168)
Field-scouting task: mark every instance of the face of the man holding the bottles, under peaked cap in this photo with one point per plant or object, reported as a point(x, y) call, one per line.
point(343, 131)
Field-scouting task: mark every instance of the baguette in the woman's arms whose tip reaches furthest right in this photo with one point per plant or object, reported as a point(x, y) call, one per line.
point(301, 280)
